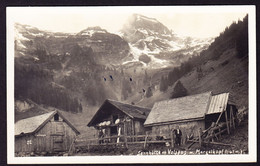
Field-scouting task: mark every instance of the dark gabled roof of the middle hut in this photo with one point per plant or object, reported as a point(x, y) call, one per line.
point(135, 112)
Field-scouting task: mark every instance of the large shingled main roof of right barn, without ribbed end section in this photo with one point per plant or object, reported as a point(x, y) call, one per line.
point(179, 109)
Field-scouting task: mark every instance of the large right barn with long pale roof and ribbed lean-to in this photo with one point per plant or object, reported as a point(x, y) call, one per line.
point(189, 113)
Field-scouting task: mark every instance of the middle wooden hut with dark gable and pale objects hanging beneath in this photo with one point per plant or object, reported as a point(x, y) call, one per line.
point(116, 118)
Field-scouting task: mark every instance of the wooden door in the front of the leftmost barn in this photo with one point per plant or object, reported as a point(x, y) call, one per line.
point(58, 142)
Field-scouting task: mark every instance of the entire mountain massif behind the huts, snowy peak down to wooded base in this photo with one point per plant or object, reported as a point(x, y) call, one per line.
point(75, 70)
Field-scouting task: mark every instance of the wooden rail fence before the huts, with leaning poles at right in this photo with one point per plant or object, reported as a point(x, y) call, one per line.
point(207, 136)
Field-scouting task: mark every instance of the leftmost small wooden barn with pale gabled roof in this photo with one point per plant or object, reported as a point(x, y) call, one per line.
point(50, 132)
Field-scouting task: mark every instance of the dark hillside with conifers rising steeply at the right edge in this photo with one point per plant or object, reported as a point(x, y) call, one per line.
point(222, 68)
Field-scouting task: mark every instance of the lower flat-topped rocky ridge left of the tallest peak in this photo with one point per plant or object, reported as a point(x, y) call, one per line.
point(106, 46)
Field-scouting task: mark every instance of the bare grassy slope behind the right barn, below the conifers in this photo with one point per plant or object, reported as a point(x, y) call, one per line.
point(227, 74)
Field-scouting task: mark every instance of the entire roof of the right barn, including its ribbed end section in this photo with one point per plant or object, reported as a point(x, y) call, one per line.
point(186, 108)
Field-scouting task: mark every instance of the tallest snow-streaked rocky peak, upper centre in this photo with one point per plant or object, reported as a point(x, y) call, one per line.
point(155, 46)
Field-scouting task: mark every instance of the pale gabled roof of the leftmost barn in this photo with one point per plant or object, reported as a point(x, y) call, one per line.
point(34, 124)
